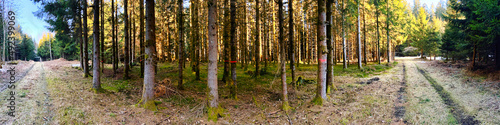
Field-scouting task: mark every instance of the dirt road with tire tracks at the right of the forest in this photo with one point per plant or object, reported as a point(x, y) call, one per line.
point(439, 95)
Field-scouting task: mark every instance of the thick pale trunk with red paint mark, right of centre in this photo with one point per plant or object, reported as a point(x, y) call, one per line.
point(321, 52)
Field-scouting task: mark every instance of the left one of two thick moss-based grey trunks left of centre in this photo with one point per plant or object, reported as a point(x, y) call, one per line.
point(149, 72)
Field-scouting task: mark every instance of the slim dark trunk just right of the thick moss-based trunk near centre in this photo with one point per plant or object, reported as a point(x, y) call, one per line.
point(233, 49)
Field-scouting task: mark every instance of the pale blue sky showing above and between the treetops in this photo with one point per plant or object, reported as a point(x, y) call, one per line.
point(35, 27)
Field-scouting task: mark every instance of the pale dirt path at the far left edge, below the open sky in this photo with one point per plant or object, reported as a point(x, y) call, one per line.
point(33, 105)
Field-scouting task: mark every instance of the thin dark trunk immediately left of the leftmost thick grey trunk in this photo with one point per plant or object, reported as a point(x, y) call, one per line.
point(86, 71)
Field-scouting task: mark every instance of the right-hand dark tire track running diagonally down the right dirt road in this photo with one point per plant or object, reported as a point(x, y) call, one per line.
point(456, 109)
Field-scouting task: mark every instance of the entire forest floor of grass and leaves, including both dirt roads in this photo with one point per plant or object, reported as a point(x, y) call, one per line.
point(411, 91)
